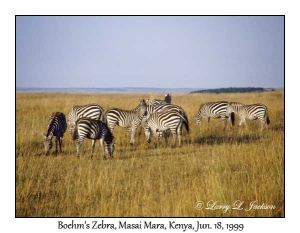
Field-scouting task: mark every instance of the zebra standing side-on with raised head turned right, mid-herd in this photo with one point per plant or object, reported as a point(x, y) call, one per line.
point(128, 119)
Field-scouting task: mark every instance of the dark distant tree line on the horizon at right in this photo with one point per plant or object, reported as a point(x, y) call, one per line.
point(234, 90)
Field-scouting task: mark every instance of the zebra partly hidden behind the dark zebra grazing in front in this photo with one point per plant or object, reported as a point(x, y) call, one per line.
point(93, 111)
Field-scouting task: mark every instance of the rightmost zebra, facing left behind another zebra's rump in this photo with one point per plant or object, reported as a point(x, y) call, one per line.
point(250, 112)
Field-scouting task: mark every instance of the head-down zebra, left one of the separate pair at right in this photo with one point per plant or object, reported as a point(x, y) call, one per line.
point(214, 110)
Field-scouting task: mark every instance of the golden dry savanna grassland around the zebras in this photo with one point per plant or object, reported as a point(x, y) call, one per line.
point(212, 168)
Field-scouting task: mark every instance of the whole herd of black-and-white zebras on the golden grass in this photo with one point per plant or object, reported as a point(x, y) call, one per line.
point(156, 117)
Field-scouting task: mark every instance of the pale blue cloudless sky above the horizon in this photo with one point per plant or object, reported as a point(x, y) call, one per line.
point(150, 51)
